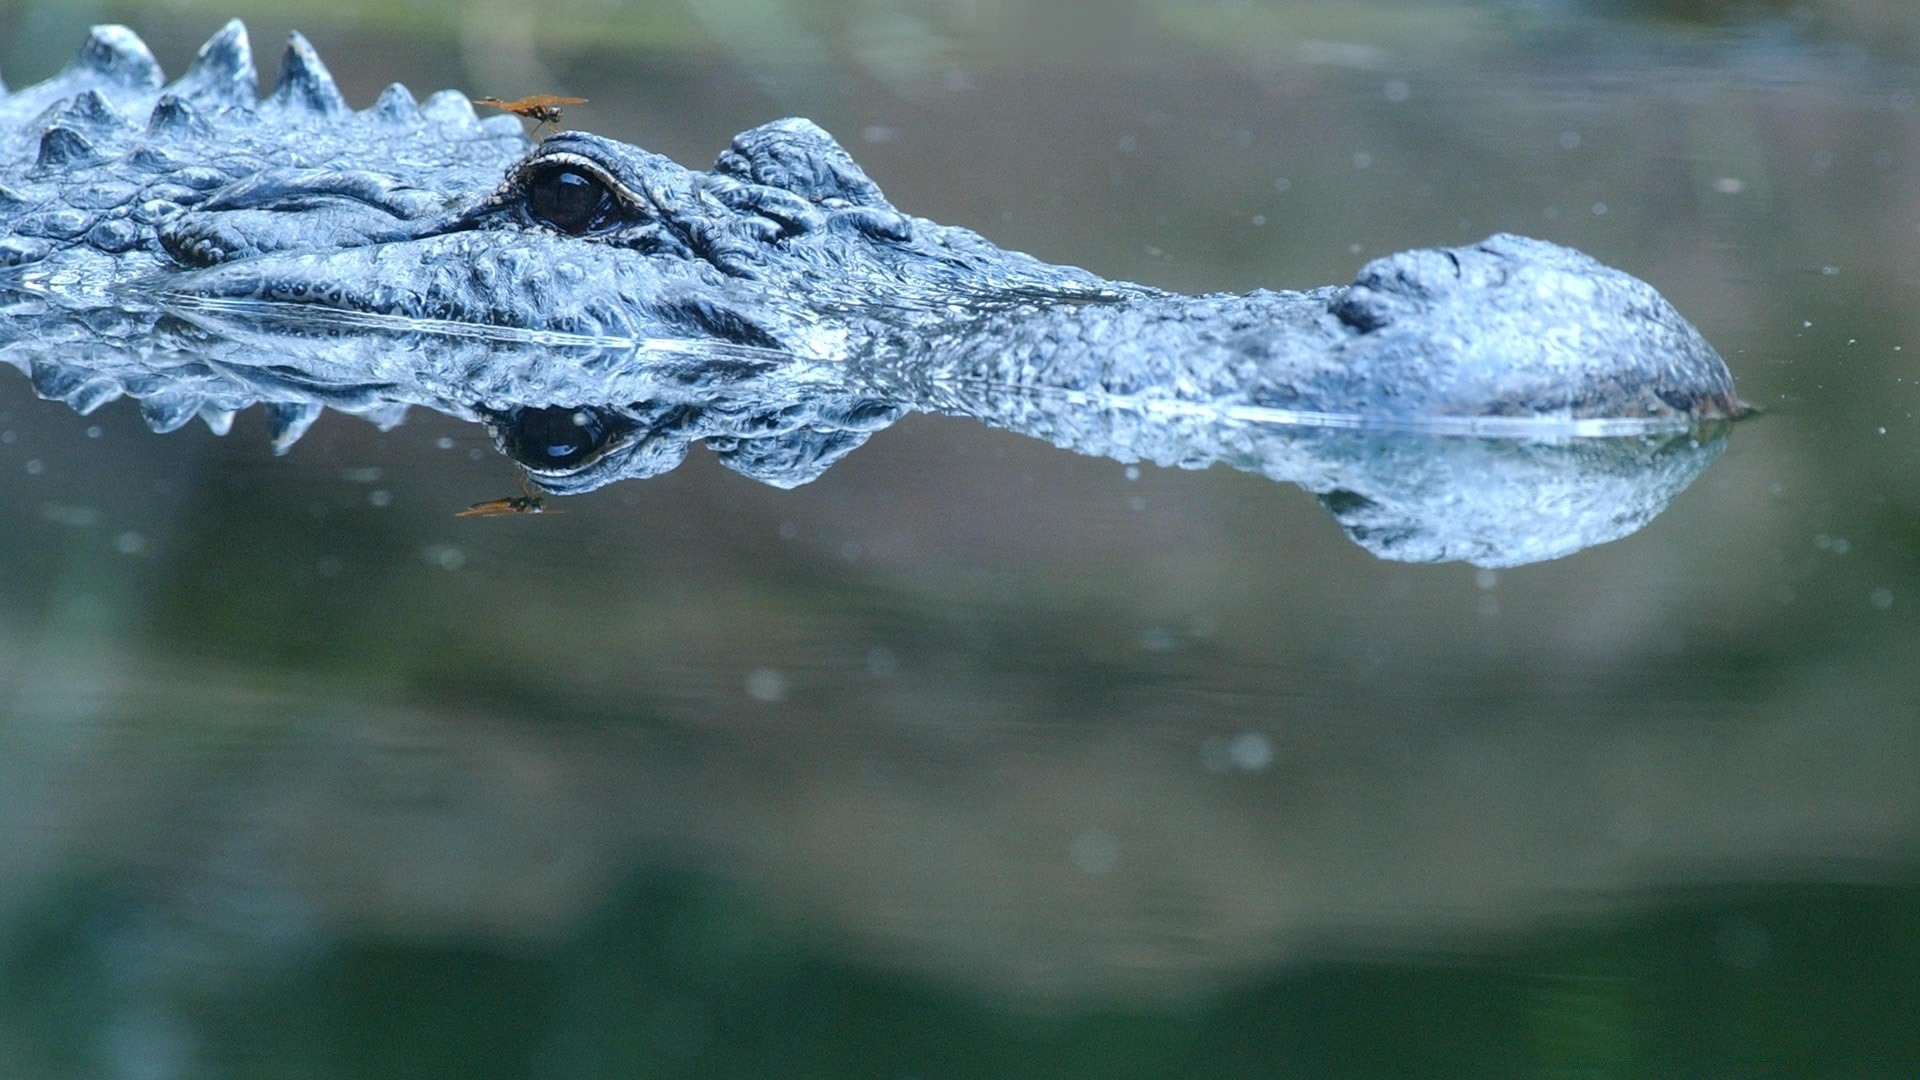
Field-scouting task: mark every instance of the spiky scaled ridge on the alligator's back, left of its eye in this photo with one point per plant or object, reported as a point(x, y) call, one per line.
point(97, 159)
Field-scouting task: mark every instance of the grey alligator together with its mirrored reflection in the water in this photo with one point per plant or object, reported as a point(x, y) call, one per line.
point(204, 249)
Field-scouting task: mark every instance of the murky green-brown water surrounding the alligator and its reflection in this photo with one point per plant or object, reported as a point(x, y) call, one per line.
point(976, 758)
